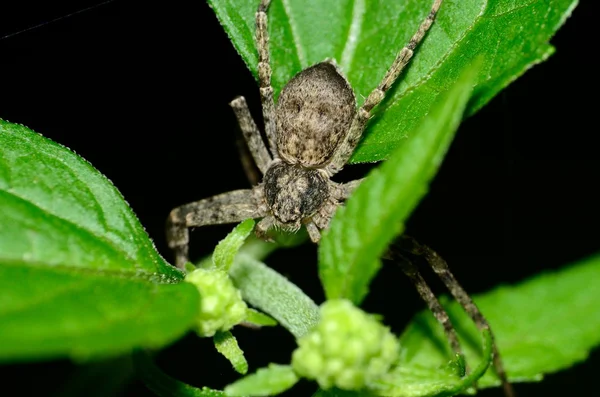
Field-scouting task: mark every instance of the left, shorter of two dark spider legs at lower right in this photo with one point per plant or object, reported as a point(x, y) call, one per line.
point(426, 294)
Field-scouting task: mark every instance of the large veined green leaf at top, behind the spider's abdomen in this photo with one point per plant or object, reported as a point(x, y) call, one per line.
point(365, 36)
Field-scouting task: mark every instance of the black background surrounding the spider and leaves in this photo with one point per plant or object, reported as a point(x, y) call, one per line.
point(140, 89)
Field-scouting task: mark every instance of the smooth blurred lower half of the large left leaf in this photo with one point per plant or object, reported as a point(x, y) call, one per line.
point(52, 311)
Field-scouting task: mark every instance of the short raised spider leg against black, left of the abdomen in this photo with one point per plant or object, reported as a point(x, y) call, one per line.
point(251, 133)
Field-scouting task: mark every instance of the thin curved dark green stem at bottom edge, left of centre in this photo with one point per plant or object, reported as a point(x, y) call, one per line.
point(162, 384)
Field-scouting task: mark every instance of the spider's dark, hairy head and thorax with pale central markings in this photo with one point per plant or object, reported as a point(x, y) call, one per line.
point(293, 192)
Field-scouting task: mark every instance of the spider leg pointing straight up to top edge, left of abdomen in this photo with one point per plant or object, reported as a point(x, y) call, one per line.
point(264, 74)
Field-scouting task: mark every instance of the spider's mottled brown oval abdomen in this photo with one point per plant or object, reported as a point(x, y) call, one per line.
point(314, 112)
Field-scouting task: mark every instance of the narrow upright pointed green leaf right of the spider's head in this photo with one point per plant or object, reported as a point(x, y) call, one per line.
point(360, 232)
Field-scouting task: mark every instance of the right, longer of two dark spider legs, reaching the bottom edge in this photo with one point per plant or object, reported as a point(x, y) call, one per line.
point(440, 267)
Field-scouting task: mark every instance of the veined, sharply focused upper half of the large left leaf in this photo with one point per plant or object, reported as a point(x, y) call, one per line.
point(57, 210)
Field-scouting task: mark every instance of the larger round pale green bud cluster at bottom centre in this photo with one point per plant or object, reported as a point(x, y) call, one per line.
point(348, 348)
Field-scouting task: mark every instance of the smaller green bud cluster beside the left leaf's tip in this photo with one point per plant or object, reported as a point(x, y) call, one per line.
point(221, 304)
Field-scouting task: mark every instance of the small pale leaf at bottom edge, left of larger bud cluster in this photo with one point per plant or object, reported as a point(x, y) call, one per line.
point(267, 381)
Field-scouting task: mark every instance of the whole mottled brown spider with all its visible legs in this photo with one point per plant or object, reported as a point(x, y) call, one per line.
point(312, 132)
